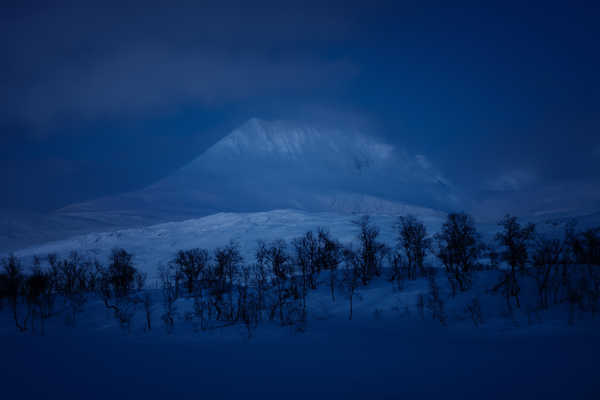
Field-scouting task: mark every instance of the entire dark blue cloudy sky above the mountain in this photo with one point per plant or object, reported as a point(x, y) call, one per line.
point(104, 97)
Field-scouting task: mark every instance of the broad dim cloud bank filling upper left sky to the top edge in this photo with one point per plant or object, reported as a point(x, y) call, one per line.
point(97, 60)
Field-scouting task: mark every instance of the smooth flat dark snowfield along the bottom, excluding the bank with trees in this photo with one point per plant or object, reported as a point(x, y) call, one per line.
point(378, 359)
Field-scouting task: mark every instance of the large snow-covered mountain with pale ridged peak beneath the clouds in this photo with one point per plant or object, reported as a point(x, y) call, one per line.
point(266, 166)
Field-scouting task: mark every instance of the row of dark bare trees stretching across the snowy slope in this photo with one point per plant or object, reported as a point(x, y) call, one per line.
point(226, 290)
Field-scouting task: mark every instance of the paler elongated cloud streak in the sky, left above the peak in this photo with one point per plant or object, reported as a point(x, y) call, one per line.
point(151, 78)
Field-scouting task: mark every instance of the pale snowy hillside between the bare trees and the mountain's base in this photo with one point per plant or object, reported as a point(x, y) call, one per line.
point(156, 245)
